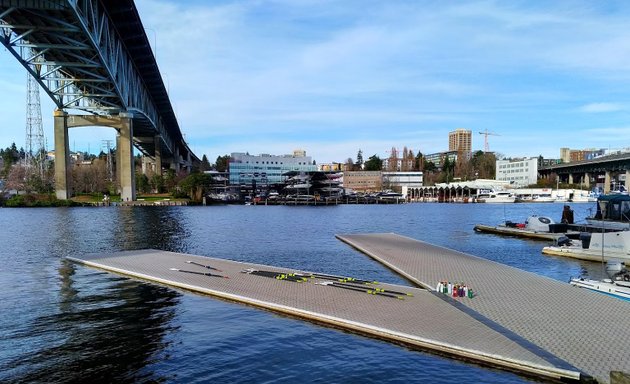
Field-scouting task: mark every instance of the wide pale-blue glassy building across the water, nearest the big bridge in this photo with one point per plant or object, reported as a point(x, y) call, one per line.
point(266, 169)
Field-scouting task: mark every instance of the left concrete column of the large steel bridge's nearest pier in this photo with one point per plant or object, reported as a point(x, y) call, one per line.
point(63, 175)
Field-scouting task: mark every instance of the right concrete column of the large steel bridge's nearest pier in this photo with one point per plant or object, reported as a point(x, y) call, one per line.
point(124, 151)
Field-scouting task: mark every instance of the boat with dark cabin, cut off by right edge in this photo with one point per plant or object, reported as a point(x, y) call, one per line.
point(612, 212)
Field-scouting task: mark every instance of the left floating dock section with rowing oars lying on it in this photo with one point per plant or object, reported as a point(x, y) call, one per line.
point(425, 320)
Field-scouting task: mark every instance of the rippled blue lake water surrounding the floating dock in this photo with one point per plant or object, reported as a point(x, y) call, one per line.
point(60, 322)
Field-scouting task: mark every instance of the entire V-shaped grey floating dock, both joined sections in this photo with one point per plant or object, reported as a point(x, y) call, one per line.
point(517, 321)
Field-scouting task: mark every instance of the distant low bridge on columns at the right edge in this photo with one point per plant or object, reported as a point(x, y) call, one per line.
point(607, 170)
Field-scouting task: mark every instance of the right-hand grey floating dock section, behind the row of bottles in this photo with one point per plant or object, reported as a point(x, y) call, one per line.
point(584, 329)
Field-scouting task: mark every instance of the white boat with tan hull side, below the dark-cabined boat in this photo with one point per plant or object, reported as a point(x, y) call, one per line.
point(596, 246)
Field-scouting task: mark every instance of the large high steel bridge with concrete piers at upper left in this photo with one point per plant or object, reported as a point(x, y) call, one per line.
point(94, 60)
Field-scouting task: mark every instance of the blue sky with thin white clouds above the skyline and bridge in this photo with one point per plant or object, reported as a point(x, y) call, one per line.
point(333, 77)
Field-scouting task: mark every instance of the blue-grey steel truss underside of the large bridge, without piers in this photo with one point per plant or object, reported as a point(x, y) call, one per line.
point(77, 56)
